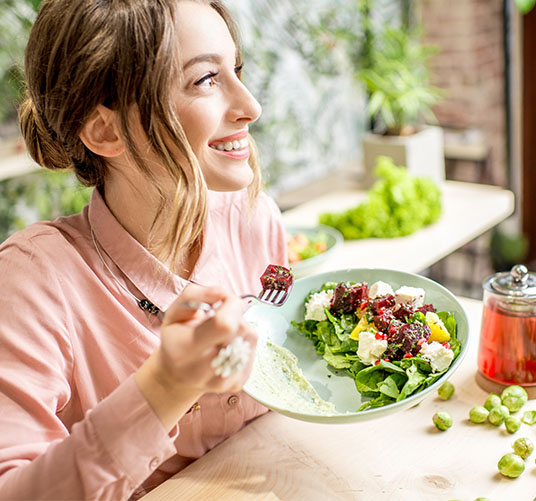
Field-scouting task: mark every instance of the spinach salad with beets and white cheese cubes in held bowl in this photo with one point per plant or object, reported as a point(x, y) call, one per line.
point(390, 342)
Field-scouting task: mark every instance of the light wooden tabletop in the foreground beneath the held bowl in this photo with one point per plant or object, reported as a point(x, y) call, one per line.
point(397, 458)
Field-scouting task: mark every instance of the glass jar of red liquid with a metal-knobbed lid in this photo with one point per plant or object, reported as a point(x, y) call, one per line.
point(507, 350)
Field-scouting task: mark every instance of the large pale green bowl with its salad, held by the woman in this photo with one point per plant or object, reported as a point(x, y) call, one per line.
point(356, 344)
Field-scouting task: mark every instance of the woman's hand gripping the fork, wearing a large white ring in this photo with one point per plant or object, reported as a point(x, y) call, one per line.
point(180, 370)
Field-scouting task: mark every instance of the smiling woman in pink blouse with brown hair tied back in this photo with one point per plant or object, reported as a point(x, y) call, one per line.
point(100, 398)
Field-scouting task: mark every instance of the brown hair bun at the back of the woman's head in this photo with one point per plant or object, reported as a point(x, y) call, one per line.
point(41, 141)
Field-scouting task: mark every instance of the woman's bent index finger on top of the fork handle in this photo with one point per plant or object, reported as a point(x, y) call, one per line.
point(193, 293)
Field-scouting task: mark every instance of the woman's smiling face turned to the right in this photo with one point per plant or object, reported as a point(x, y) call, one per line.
point(214, 107)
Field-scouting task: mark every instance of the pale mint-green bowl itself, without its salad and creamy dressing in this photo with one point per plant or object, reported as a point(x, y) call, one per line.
point(334, 385)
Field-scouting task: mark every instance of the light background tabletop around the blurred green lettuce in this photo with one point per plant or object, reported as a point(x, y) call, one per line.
point(469, 210)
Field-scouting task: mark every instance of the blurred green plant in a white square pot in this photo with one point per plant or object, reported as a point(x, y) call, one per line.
point(396, 77)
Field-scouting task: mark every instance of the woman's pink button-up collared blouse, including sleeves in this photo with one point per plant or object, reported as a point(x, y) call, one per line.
point(73, 424)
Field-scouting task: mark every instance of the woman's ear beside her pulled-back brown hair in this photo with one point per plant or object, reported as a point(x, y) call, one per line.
point(101, 133)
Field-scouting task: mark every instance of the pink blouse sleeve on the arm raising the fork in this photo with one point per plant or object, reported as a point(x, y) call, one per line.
point(106, 455)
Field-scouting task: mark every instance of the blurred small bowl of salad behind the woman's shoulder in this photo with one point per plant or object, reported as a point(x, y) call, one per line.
point(309, 247)
